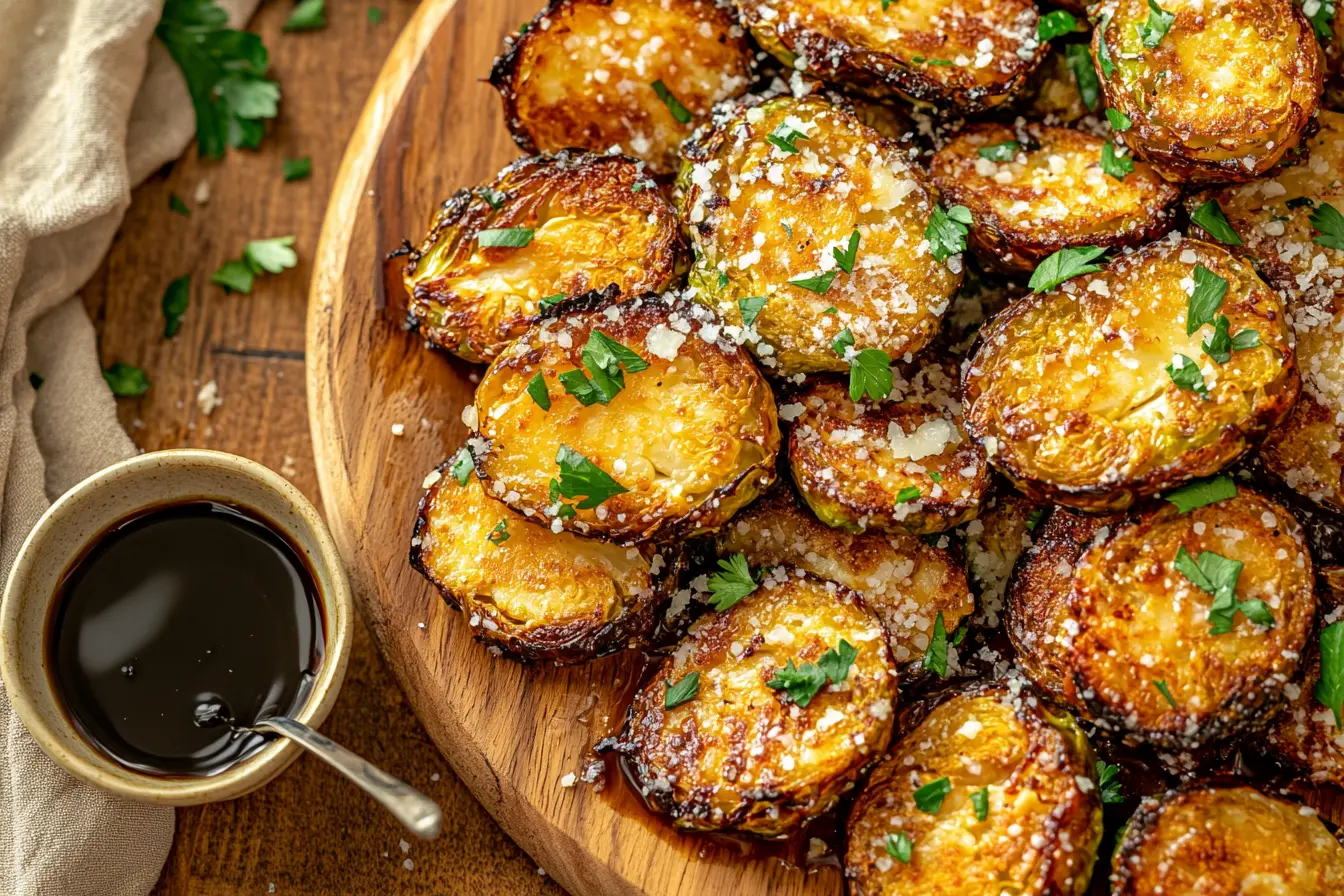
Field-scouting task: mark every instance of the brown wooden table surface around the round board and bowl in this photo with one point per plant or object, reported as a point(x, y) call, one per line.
point(310, 832)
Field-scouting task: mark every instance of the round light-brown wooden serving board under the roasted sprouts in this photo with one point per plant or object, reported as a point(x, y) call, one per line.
point(511, 733)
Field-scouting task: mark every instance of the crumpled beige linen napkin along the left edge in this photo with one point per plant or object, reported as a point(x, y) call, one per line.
point(89, 107)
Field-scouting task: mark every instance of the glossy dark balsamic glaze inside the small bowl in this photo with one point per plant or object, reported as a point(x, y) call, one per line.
point(178, 620)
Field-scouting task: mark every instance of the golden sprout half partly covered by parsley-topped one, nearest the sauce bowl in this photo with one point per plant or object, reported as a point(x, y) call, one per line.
point(533, 593)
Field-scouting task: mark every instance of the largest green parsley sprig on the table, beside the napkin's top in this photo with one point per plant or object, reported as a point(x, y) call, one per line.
point(225, 72)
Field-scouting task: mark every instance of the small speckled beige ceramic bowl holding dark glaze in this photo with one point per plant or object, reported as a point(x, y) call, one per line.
point(100, 502)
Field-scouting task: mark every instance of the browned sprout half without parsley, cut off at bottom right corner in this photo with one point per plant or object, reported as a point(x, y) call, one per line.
point(1226, 842)
